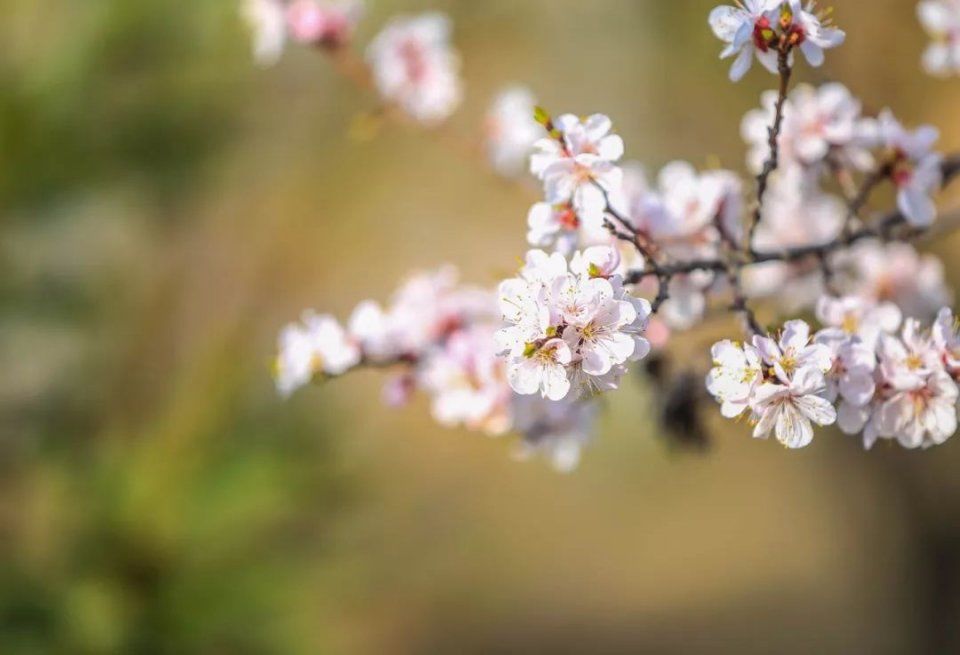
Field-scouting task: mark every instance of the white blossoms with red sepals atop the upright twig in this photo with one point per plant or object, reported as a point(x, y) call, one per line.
point(761, 28)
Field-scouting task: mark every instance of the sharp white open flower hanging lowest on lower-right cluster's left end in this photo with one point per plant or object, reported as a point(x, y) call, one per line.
point(789, 409)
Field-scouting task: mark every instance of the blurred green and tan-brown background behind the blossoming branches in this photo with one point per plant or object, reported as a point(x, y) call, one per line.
point(165, 206)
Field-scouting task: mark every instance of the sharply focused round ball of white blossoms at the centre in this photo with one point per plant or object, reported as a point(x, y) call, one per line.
point(570, 328)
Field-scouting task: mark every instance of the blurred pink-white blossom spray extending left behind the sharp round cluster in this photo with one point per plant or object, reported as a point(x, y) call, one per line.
point(437, 336)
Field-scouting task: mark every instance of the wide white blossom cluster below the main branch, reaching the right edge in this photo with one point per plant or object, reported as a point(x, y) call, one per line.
point(857, 371)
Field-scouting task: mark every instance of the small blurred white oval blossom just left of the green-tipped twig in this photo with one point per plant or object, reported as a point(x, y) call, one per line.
point(511, 130)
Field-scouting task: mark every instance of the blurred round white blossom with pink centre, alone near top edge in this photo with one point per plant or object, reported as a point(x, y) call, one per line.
point(415, 67)
